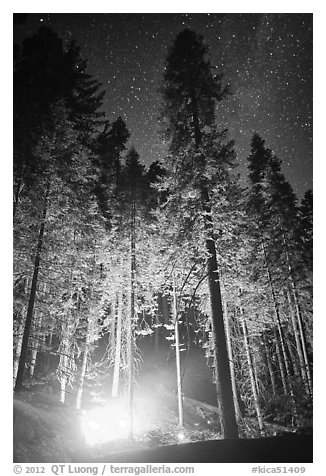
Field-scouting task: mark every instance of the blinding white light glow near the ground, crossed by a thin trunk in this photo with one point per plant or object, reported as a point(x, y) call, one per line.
point(110, 422)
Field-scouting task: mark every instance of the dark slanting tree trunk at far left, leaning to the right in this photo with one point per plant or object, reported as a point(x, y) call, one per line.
point(32, 297)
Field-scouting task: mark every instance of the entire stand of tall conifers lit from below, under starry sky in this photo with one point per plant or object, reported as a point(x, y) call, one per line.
point(110, 256)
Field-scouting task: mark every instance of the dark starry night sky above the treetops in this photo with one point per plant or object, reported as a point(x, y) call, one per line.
point(266, 59)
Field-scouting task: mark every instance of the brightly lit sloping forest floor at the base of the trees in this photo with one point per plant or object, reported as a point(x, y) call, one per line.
point(47, 431)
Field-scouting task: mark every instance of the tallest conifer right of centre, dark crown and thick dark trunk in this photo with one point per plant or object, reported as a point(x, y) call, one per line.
point(190, 93)
